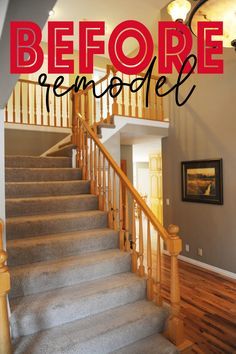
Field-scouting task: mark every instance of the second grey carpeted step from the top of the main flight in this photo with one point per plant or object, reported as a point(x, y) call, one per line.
point(42, 174)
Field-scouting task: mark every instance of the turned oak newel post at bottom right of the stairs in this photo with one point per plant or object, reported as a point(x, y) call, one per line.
point(175, 325)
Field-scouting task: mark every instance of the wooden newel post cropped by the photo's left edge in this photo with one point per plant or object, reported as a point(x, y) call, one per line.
point(5, 339)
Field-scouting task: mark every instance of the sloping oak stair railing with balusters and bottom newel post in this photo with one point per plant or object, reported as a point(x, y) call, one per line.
point(139, 229)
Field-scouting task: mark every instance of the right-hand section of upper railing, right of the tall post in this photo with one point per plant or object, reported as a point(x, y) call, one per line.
point(100, 110)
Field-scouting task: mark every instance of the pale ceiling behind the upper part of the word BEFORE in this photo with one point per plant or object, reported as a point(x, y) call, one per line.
point(112, 12)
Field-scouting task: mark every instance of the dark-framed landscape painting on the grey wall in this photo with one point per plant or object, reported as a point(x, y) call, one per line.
point(202, 181)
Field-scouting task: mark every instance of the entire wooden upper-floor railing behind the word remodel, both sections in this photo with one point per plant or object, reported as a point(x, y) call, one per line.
point(27, 102)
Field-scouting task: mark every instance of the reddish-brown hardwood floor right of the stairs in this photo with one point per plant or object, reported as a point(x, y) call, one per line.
point(208, 306)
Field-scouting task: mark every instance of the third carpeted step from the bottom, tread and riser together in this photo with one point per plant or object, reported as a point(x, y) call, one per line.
point(35, 313)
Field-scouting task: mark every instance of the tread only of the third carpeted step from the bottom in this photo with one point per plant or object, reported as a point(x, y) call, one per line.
point(37, 303)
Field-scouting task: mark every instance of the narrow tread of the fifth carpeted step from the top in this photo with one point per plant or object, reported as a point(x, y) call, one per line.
point(32, 218)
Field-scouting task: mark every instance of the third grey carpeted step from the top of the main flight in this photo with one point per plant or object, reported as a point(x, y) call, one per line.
point(39, 189)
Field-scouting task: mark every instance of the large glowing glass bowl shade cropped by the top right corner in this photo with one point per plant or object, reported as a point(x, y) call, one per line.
point(217, 10)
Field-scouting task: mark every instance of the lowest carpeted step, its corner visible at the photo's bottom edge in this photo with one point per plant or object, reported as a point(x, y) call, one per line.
point(155, 344)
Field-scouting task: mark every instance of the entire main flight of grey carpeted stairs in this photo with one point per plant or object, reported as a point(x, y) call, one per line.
point(72, 289)
